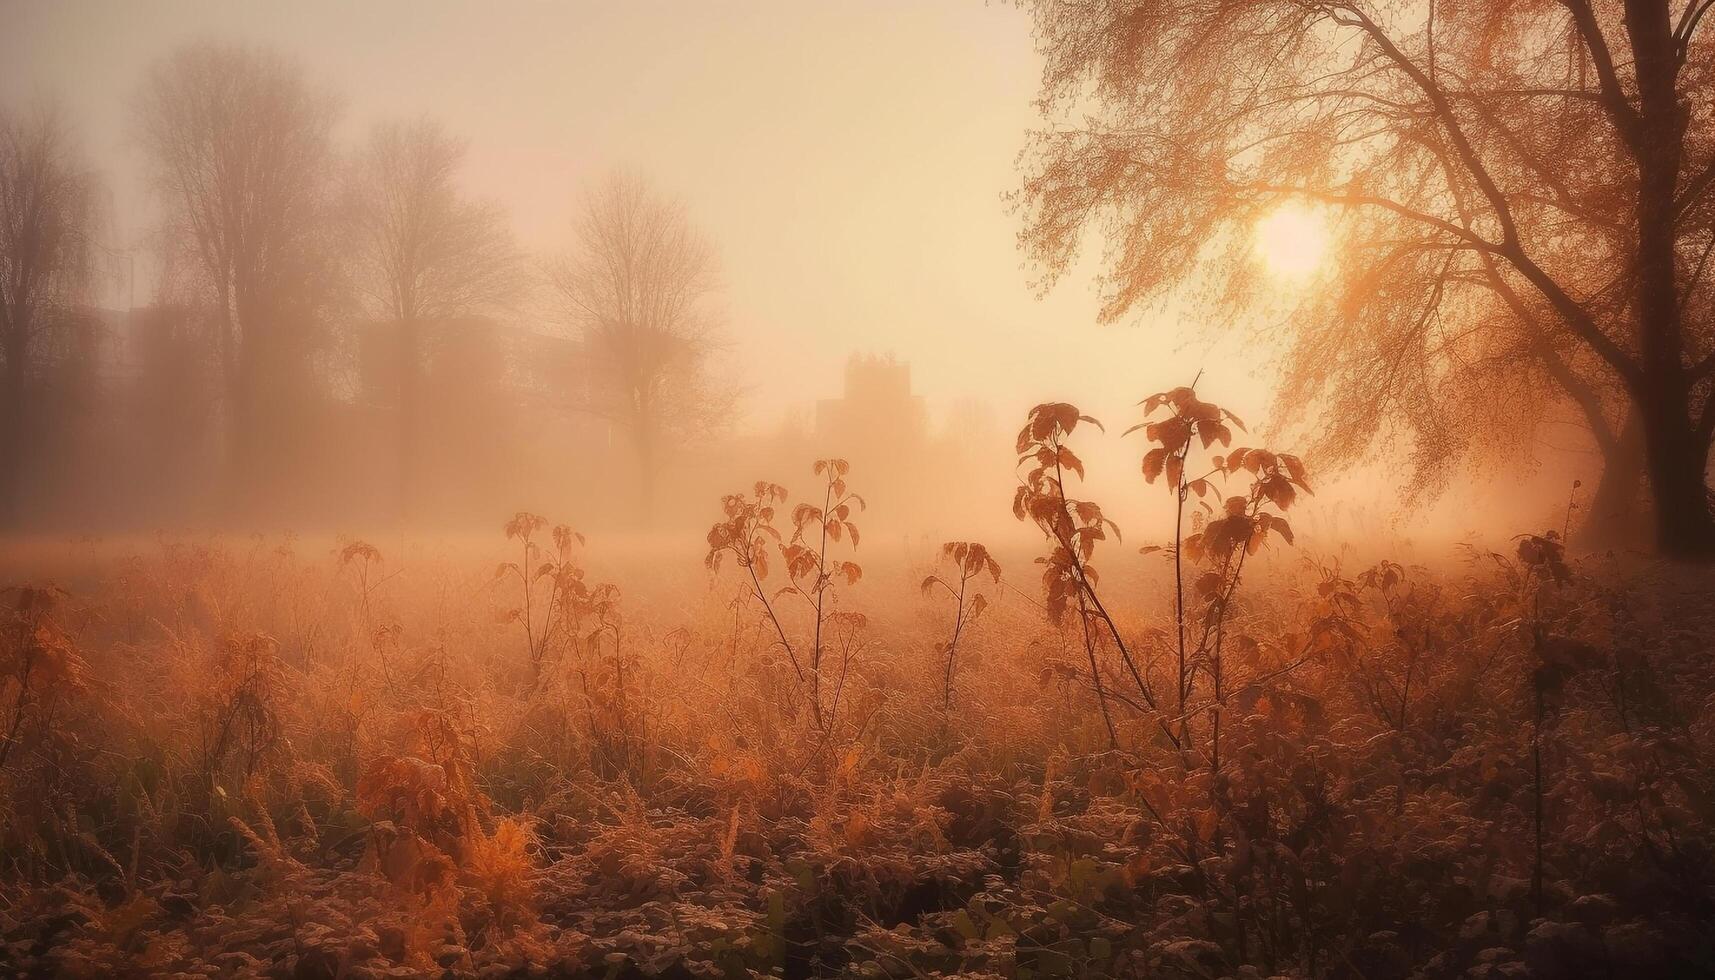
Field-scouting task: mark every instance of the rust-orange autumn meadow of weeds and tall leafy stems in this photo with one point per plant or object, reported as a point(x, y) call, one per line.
point(553, 756)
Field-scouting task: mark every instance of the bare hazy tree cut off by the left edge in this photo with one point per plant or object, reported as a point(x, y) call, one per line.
point(47, 215)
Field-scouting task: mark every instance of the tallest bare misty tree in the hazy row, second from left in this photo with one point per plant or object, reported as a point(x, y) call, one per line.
point(241, 150)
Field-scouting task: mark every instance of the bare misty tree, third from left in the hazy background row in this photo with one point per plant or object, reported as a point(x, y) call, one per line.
point(426, 255)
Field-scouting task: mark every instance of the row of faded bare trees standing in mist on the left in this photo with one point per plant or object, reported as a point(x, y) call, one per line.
point(330, 334)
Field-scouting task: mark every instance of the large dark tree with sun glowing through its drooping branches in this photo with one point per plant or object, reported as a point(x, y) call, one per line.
point(1522, 197)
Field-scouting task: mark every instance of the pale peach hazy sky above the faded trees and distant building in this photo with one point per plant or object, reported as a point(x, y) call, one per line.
point(846, 159)
